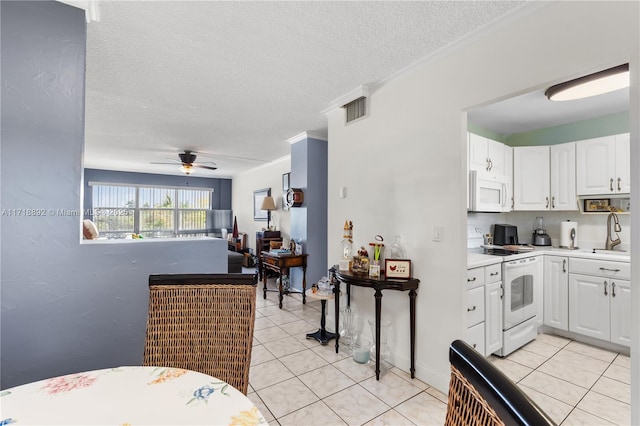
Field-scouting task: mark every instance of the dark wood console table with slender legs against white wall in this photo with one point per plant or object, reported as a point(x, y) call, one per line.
point(363, 280)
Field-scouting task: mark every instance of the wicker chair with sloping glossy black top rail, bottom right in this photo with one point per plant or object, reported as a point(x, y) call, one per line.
point(480, 394)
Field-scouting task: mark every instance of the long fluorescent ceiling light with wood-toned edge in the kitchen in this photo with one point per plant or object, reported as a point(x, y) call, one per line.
point(591, 85)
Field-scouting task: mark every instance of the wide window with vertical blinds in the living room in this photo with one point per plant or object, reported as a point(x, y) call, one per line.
point(153, 212)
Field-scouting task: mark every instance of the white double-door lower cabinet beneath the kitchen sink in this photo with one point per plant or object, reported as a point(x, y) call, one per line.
point(599, 299)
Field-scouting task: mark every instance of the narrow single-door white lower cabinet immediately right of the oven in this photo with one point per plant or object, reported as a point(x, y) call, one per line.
point(556, 292)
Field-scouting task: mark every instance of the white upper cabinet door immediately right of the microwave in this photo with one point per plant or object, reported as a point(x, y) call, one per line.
point(531, 178)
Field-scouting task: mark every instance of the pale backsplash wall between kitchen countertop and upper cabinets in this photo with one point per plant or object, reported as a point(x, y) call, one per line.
point(592, 228)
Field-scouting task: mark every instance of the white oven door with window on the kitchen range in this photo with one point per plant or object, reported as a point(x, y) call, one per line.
point(519, 302)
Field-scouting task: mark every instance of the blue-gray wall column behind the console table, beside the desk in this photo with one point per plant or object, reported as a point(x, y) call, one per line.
point(309, 222)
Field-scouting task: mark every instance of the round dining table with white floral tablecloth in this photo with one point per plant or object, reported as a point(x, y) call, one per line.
point(128, 396)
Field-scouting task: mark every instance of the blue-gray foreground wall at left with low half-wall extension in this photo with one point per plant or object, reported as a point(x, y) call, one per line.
point(66, 306)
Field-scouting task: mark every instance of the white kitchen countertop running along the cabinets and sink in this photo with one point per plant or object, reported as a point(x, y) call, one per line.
point(476, 257)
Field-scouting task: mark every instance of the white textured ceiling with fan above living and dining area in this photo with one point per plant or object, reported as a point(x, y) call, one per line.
point(237, 79)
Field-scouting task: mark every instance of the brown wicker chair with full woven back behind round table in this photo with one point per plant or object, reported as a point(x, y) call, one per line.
point(202, 322)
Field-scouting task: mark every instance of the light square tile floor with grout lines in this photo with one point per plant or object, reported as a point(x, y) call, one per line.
point(295, 381)
